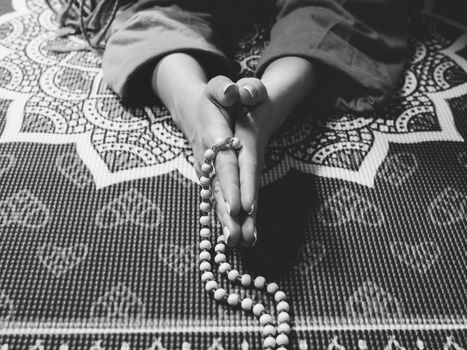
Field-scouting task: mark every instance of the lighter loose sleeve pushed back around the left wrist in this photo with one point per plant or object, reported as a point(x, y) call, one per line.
point(143, 33)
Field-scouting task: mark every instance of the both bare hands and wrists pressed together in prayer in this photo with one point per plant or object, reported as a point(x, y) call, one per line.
point(251, 109)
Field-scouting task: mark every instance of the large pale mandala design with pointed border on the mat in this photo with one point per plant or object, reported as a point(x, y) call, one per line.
point(60, 98)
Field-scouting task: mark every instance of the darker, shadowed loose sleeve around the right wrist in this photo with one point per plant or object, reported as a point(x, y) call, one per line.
point(359, 45)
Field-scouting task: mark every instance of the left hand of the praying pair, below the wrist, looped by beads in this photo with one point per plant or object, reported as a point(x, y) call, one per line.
point(211, 113)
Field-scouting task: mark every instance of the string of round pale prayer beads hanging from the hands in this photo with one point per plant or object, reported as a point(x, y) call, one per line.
point(274, 336)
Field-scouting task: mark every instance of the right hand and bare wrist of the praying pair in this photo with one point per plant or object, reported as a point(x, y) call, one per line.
point(266, 105)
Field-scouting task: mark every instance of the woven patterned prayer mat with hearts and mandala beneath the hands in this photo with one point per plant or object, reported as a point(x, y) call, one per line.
point(363, 221)
